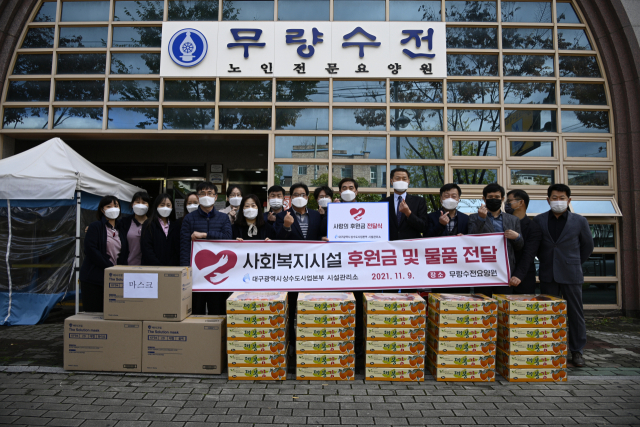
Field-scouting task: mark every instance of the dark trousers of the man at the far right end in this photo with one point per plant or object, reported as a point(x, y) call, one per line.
point(572, 293)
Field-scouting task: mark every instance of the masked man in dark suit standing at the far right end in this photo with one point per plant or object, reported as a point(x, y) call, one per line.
point(566, 244)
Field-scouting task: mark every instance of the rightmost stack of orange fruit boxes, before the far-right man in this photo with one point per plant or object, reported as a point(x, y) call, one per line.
point(532, 338)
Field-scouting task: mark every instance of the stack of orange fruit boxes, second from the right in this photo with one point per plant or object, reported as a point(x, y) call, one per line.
point(461, 337)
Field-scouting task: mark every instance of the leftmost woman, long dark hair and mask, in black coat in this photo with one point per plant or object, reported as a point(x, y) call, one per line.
point(104, 247)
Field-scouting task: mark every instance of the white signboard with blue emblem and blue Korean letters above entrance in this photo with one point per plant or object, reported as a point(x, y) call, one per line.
point(238, 49)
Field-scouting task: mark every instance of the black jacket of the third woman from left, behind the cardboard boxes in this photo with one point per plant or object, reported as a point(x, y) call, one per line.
point(158, 249)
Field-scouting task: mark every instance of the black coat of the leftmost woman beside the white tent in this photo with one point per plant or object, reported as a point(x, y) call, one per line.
point(95, 253)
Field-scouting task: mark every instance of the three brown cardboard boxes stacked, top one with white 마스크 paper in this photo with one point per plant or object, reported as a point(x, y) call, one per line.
point(145, 327)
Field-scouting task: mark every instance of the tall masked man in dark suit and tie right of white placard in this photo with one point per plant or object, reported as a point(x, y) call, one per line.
point(407, 213)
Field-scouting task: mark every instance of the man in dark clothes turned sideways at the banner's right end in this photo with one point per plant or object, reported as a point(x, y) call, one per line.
point(523, 278)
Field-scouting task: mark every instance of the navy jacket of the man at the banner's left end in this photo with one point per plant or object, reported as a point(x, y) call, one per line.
point(215, 224)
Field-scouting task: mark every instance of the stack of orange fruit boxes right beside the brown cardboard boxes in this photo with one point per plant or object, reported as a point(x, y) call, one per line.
point(257, 335)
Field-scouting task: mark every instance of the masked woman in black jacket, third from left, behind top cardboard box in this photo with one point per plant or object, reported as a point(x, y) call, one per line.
point(161, 235)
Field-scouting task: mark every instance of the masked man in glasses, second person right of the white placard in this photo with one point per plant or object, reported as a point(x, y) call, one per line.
point(448, 221)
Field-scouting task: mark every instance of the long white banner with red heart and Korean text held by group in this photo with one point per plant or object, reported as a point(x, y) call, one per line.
point(228, 266)
